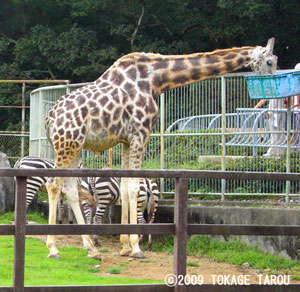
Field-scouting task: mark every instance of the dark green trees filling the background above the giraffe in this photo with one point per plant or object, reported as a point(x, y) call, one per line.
point(80, 39)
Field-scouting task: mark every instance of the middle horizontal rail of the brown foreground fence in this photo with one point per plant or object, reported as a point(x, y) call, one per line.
point(158, 228)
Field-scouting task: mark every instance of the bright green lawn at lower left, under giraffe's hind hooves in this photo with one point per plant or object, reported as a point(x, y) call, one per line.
point(74, 268)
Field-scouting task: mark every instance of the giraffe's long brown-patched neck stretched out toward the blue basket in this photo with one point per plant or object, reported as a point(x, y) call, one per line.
point(173, 71)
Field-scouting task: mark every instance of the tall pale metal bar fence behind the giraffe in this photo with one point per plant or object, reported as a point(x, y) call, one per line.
point(201, 127)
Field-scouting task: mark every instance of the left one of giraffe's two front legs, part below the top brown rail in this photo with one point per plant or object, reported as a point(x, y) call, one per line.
point(124, 239)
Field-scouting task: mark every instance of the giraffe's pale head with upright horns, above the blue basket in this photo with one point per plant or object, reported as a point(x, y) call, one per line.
point(262, 61)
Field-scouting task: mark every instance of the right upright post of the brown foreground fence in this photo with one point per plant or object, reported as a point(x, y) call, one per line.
point(180, 238)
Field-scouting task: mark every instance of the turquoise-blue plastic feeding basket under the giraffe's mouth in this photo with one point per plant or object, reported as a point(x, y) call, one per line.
point(283, 84)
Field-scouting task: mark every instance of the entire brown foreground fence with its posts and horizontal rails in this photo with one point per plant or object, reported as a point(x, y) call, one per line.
point(180, 228)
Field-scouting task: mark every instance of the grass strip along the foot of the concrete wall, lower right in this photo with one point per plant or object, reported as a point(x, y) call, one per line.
point(234, 252)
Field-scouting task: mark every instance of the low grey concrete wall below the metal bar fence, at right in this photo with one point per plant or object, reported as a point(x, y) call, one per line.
point(287, 246)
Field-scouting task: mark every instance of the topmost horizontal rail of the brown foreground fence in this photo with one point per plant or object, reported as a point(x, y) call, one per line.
point(9, 172)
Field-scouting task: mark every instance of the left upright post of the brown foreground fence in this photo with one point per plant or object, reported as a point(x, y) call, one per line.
point(19, 243)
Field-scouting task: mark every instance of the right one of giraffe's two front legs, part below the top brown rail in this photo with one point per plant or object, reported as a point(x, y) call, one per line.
point(133, 188)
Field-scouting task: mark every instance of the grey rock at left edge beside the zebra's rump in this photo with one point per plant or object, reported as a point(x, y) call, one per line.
point(7, 187)
